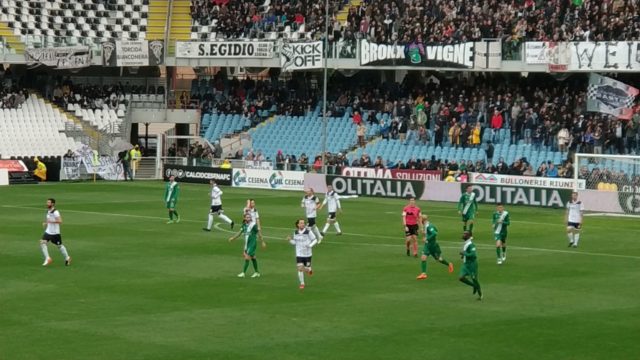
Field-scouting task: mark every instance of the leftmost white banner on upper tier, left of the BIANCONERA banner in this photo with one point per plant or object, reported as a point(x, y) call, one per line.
point(71, 57)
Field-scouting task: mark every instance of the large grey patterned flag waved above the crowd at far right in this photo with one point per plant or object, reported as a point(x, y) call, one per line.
point(609, 96)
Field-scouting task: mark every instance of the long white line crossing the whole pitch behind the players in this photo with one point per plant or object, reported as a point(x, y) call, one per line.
point(331, 242)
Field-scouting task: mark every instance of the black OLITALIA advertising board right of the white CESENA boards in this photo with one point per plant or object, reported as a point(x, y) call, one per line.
point(390, 188)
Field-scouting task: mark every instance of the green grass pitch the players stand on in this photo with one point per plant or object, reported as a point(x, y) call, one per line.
point(141, 289)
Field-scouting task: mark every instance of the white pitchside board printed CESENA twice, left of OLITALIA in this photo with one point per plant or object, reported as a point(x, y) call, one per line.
point(265, 179)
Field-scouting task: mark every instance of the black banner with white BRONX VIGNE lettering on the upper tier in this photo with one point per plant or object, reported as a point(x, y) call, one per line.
point(417, 54)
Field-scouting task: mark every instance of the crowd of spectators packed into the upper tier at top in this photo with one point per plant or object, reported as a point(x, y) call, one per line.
point(431, 21)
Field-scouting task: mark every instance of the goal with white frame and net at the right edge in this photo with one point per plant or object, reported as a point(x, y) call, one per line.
point(612, 182)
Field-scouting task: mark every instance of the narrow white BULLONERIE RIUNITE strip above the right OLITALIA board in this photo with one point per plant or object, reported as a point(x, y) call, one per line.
point(532, 181)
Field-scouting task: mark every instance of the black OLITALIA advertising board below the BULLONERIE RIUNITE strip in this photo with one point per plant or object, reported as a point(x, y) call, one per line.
point(519, 195)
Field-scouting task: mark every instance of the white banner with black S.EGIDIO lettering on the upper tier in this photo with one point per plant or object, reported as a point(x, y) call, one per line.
point(225, 49)
